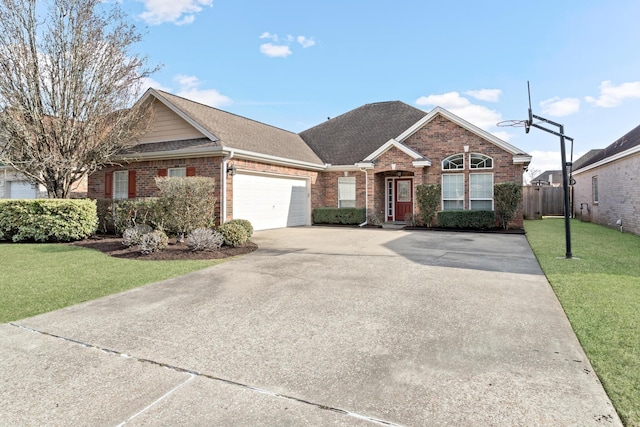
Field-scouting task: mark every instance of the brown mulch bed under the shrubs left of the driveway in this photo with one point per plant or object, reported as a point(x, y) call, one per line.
point(112, 245)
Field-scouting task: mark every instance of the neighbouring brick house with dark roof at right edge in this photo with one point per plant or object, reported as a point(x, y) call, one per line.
point(606, 185)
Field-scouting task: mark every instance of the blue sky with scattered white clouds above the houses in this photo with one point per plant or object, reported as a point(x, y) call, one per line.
point(293, 64)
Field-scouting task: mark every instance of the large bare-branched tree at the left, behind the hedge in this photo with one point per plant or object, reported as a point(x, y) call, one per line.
point(68, 82)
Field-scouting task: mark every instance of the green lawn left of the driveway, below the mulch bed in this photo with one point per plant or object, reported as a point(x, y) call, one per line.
point(36, 278)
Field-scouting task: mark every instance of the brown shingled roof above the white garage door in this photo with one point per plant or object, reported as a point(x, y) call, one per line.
point(226, 131)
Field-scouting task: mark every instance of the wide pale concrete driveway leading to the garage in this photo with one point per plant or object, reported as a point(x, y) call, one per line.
point(320, 326)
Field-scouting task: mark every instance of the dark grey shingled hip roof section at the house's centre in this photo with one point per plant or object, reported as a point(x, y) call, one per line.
point(352, 136)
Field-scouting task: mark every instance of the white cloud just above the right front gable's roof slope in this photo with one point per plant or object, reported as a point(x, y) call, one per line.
point(479, 115)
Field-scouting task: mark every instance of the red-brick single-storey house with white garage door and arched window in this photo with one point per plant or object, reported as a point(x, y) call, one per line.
point(372, 157)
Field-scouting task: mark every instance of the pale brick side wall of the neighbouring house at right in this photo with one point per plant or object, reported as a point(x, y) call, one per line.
point(619, 197)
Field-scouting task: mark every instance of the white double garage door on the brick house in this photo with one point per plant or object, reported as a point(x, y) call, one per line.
point(270, 202)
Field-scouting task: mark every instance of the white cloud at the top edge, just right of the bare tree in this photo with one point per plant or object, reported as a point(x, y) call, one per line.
point(179, 12)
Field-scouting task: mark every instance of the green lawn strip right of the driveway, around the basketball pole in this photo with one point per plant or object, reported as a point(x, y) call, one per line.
point(600, 292)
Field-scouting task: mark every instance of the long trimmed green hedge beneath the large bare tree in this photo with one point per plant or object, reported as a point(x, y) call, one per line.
point(43, 220)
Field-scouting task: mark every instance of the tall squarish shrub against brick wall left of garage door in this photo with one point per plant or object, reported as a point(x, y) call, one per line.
point(187, 203)
